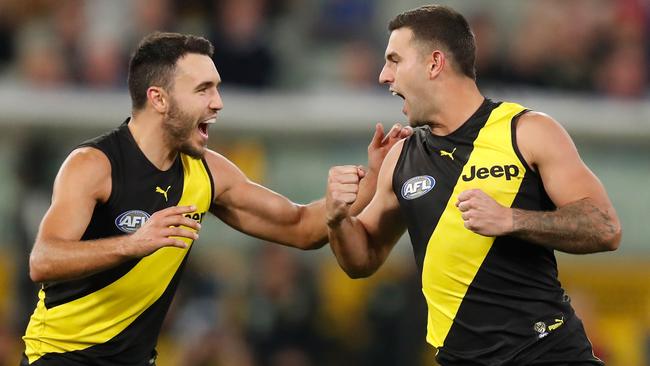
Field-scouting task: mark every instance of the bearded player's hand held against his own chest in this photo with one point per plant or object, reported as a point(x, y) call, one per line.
point(162, 230)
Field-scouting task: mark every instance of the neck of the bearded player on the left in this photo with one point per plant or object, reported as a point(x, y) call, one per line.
point(148, 133)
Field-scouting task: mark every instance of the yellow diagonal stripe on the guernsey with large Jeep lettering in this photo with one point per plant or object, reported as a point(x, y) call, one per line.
point(454, 254)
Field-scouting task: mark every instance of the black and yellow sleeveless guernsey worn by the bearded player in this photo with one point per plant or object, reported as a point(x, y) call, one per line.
point(114, 317)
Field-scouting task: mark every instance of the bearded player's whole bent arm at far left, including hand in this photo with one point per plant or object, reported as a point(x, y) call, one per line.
point(82, 182)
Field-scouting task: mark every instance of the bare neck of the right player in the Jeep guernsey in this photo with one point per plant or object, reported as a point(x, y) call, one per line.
point(457, 103)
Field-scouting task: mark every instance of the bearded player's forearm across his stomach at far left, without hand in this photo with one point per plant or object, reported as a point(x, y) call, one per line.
point(57, 260)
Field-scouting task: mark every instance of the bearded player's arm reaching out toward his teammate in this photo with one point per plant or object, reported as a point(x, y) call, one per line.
point(260, 212)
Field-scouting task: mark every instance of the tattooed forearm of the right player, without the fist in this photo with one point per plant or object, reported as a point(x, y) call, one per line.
point(580, 227)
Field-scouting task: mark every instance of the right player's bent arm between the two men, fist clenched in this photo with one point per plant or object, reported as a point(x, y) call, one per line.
point(362, 244)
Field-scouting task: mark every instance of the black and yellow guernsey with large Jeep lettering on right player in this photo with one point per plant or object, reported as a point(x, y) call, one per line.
point(491, 301)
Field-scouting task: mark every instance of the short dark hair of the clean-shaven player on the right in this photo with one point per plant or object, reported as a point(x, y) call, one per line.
point(441, 26)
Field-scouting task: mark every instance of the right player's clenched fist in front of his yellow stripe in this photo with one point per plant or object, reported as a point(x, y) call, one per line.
point(483, 215)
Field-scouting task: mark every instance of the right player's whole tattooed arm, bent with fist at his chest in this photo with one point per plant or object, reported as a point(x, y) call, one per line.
point(585, 220)
